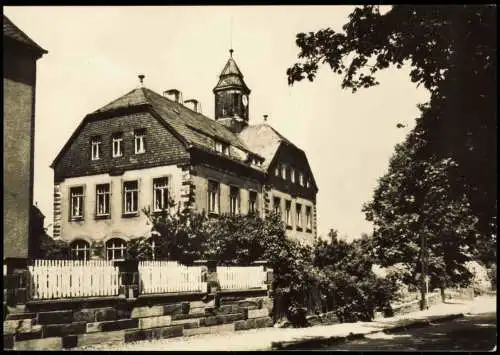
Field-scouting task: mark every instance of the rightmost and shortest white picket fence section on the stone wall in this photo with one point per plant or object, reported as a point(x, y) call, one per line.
point(241, 277)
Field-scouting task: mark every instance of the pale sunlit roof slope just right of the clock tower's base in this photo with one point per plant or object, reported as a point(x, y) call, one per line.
point(263, 140)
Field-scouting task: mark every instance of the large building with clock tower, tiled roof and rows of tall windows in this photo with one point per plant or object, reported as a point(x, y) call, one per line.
point(143, 147)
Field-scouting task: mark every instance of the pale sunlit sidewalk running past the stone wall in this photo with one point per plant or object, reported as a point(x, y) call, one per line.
point(263, 339)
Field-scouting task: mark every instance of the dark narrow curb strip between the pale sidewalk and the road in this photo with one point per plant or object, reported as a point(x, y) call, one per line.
point(320, 342)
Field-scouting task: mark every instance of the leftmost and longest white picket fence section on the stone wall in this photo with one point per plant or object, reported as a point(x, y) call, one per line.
point(73, 278)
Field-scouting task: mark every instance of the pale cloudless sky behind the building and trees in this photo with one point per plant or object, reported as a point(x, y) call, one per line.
point(96, 53)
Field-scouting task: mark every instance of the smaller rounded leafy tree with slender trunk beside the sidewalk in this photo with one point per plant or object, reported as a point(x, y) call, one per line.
point(412, 203)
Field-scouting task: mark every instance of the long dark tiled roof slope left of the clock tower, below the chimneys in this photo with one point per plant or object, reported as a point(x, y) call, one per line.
point(194, 127)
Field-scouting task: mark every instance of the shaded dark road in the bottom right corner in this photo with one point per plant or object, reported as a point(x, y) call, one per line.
point(474, 332)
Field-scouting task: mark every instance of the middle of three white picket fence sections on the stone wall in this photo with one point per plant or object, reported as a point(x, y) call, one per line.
point(161, 276)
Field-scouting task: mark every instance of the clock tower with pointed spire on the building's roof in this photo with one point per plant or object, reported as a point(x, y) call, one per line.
point(231, 97)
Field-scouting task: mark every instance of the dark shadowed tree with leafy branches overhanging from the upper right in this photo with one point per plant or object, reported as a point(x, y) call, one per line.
point(452, 52)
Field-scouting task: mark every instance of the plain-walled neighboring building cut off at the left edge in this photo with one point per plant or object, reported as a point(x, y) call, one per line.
point(20, 54)
